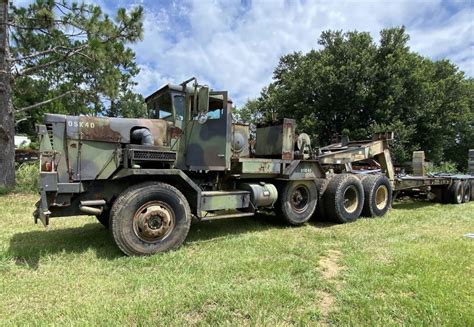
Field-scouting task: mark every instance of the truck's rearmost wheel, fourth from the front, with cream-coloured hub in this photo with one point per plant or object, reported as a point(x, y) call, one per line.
point(377, 195)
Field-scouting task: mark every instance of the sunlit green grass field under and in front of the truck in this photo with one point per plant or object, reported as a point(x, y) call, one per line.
point(412, 267)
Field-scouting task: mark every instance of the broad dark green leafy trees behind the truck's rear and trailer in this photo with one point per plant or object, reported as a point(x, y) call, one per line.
point(354, 86)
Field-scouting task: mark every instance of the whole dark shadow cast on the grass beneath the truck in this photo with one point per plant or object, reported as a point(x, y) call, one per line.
point(29, 247)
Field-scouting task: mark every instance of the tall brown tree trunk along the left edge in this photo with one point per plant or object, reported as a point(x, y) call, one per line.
point(7, 117)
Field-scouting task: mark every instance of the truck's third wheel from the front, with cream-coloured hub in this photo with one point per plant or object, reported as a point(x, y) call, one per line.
point(343, 198)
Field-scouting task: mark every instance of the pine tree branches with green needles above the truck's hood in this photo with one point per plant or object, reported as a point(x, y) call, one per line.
point(69, 58)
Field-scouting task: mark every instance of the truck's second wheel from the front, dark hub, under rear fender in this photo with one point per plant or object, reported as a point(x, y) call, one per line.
point(297, 202)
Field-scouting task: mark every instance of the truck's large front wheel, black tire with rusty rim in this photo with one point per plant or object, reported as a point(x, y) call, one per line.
point(149, 218)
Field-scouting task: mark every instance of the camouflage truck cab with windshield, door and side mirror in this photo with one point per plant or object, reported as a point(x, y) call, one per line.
point(204, 121)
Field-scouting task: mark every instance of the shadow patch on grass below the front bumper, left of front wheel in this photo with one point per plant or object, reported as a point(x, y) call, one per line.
point(29, 247)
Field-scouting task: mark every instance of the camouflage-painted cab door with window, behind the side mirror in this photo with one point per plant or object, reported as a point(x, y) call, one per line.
point(208, 144)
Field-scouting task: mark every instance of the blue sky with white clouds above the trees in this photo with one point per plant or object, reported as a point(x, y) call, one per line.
point(235, 45)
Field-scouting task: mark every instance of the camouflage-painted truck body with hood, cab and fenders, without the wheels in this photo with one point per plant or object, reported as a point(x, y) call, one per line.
point(195, 145)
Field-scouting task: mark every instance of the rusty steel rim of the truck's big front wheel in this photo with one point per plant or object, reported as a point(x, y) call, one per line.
point(153, 221)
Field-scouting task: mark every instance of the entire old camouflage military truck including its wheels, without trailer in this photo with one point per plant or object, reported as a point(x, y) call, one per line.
point(145, 179)
